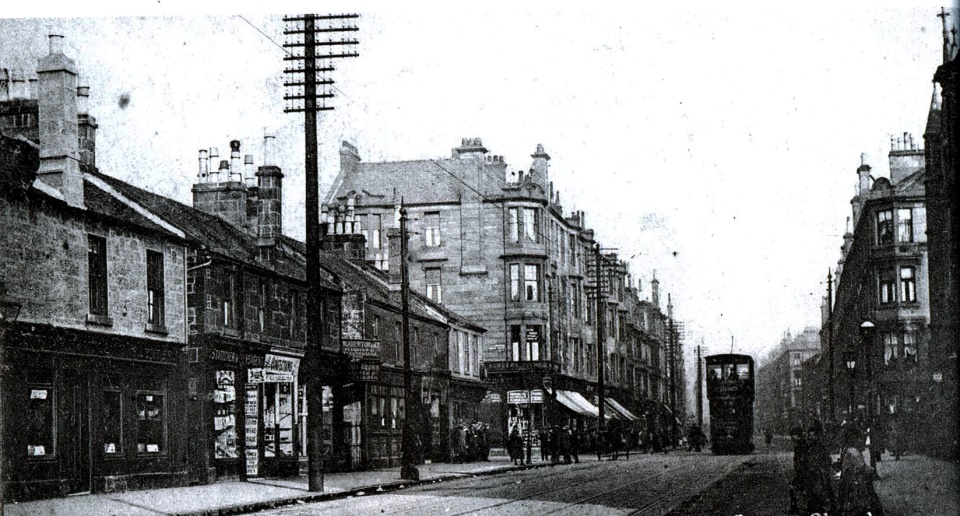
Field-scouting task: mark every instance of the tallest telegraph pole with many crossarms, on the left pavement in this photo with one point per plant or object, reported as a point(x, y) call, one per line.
point(304, 98)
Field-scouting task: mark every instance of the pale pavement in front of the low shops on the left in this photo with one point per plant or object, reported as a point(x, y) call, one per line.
point(235, 497)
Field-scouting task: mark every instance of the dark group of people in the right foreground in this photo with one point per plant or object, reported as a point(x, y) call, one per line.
point(818, 488)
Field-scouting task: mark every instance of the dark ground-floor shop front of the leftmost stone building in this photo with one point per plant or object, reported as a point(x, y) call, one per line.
point(90, 412)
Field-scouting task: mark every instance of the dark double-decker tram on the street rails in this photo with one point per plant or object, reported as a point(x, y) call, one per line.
point(730, 379)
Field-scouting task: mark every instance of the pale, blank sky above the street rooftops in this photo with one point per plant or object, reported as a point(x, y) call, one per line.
point(715, 146)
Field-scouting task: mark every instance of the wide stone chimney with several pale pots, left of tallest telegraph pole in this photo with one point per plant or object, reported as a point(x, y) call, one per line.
point(223, 193)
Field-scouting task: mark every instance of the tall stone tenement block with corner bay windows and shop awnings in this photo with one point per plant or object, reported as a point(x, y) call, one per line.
point(495, 246)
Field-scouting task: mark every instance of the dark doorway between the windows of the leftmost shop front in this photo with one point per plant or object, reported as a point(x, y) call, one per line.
point(76, 432)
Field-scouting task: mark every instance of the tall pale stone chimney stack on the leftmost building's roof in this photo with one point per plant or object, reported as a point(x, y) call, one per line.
point(57, 104)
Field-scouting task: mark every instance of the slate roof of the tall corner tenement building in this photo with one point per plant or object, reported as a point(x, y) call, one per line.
point(418, 181)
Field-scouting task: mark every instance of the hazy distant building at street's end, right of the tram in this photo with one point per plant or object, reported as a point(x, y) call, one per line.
point(780, 389)
